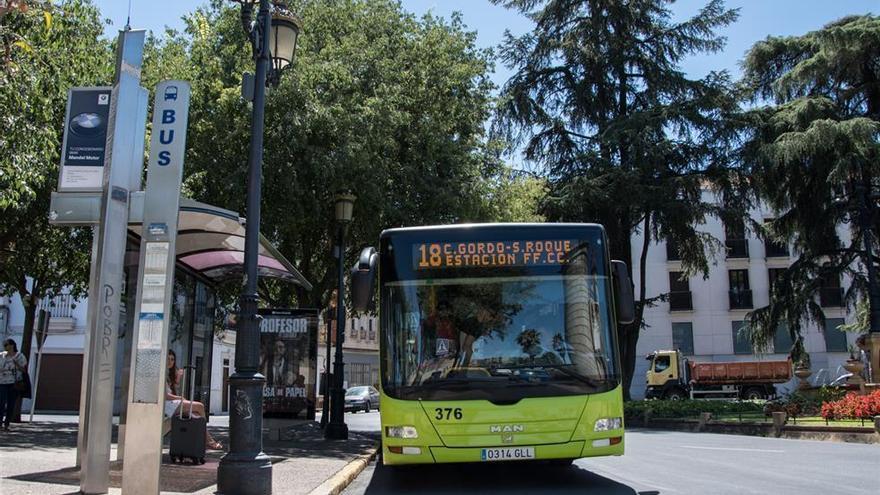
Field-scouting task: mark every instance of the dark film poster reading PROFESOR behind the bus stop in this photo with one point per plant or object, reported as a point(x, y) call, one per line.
point(288, 360)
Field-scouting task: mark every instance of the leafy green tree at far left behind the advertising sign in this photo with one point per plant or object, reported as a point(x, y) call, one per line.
point(48, 49)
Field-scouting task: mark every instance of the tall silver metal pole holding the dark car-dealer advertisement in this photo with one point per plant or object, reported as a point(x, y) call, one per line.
point(125, 143)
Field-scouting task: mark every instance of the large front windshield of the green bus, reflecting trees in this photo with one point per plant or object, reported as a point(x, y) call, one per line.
point(498, 333)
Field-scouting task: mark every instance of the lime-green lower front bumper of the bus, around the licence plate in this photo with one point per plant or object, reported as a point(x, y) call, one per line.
point(432, 455)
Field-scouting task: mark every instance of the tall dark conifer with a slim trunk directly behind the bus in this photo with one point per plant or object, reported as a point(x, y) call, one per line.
point(625, 138)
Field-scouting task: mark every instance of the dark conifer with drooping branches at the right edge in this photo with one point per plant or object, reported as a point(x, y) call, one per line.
point(811, 152)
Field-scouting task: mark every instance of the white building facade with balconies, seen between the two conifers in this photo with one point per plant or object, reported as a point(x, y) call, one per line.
point(702, 317)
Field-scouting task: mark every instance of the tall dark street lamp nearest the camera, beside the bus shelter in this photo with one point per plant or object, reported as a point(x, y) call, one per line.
point(245, 469)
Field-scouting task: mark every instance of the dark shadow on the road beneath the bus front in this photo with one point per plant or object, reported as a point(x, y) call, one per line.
point(507, 479)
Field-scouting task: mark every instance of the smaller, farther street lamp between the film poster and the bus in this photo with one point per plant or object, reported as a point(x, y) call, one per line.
point(336, 429)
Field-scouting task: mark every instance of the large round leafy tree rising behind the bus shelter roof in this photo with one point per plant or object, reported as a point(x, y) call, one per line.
point(377, 102)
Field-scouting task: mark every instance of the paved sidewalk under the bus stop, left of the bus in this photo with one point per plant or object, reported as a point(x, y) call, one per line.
point(38, 458)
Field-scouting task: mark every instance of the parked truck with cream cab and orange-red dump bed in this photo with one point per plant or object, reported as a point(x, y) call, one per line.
point(672, 376)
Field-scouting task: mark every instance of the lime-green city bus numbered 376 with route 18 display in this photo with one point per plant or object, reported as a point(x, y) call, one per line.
point(497, 342)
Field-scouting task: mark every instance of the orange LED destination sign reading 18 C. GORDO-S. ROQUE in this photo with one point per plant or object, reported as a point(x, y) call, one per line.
point(442, 255)
